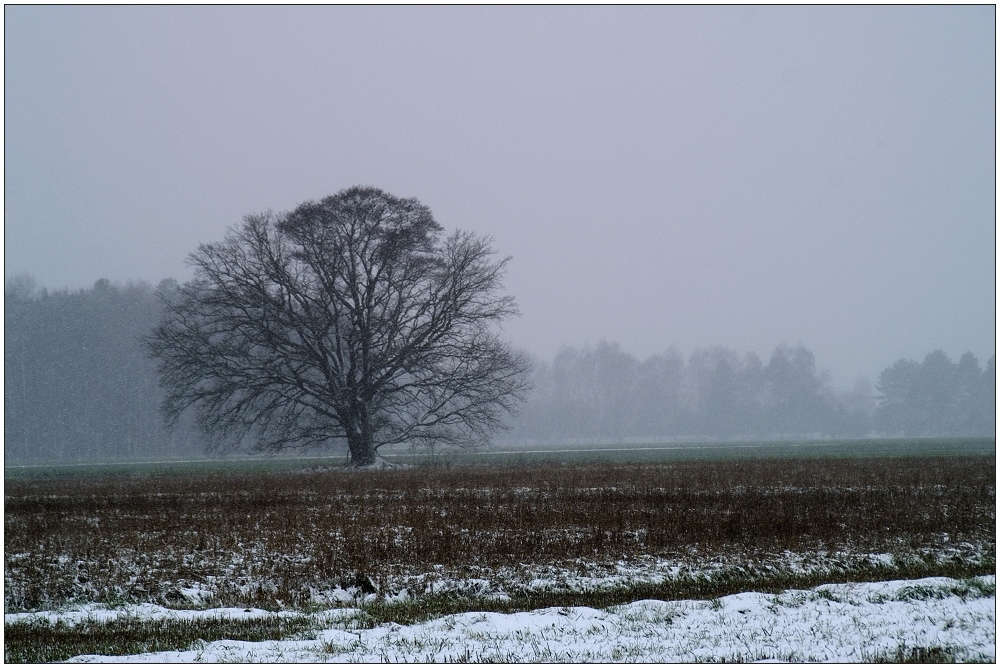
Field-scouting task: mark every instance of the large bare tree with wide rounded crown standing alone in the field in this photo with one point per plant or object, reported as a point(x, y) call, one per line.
point(346, 318)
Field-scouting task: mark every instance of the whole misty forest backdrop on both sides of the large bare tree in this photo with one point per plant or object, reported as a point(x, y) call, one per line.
point(78, 385)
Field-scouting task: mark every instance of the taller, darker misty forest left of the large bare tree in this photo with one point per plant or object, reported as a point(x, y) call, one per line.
point(78, 384)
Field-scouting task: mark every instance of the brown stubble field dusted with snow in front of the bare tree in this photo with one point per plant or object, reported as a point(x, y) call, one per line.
point(267, 538)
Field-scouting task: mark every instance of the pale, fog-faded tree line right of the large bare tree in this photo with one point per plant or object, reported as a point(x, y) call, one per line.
point(602, 393)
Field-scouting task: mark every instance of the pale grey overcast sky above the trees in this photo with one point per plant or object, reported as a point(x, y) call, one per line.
point(684, 176)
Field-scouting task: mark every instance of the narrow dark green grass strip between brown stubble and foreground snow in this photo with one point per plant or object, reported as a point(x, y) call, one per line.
point(42, 641)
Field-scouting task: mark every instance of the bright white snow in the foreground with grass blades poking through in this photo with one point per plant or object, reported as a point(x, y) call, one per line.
point(845, 622)
